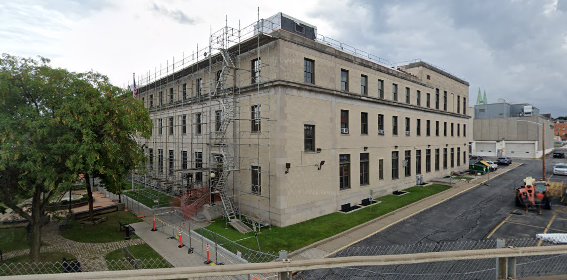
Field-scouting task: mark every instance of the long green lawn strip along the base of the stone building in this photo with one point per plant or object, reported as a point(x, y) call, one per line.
point(300, 235)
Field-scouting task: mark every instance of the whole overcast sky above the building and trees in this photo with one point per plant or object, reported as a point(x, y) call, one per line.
point(512, 49)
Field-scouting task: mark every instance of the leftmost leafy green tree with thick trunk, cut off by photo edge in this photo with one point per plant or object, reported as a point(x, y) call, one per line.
point(33, 142)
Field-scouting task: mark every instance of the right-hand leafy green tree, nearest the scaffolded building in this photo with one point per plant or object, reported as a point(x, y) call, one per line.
point(106, 127)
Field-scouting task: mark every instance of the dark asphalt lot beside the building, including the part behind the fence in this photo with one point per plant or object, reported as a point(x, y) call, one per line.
point(465, 222)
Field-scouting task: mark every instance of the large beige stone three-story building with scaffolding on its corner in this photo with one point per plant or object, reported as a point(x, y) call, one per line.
point(312, 126)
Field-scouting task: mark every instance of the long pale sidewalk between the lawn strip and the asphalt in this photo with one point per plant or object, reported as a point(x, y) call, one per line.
point(334, 244)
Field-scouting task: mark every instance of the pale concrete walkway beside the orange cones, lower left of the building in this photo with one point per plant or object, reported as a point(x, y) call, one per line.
point(167, 247)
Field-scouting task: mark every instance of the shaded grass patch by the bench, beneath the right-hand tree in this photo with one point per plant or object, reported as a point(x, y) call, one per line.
point(107, 231)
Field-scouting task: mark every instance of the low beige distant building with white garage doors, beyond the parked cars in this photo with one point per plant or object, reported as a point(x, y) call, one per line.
point(513, 130)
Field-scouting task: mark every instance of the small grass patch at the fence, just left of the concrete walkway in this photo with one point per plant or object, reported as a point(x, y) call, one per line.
point(116, 260)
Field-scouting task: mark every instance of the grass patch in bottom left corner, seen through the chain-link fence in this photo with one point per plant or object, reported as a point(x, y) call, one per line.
point(49, 263)
